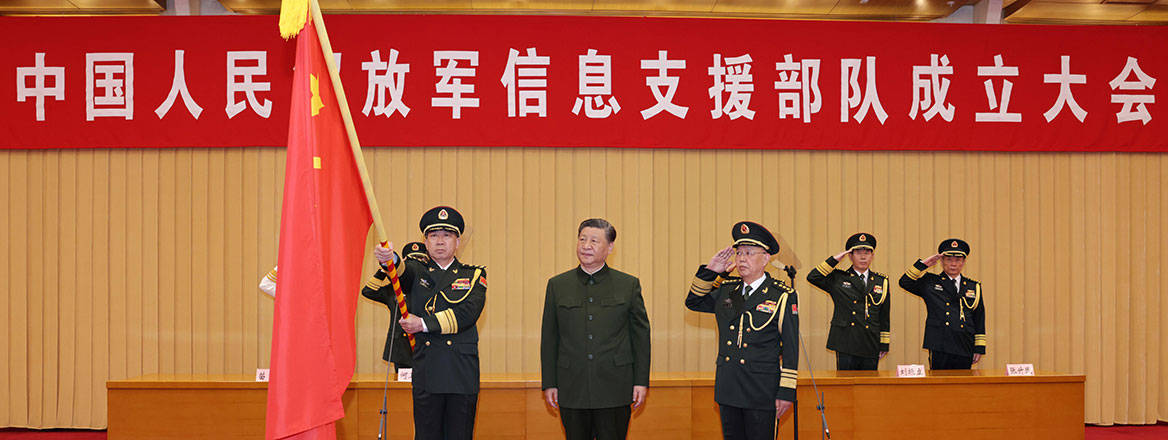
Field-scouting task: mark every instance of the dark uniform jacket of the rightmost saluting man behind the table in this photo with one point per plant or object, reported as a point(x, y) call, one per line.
point(956, 322)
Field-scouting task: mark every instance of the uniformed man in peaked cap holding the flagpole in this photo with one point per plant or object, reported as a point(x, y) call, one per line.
point(444, 298)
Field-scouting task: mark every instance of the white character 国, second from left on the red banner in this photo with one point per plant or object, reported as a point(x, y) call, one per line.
point(110, 86)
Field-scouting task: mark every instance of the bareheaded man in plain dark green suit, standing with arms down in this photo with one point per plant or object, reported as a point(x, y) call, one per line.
point(595, 347)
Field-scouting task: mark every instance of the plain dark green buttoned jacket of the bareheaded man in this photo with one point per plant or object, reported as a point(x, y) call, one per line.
point(595, 344)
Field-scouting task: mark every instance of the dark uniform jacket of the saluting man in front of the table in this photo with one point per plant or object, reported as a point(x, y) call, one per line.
point(759, 339)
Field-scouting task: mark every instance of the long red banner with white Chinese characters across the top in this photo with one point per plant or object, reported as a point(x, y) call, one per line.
point(593, 82)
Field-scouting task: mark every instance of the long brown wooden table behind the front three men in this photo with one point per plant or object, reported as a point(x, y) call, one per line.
point(860, 406)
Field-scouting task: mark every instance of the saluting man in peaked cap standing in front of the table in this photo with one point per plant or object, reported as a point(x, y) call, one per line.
point(759, 334)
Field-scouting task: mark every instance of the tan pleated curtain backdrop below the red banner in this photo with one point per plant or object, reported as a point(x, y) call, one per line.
point(121, 263)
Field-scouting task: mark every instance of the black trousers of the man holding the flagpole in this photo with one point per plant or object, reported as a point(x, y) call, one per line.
point(444, 417)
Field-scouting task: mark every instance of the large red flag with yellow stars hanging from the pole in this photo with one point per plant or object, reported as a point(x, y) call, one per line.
point(324, 225)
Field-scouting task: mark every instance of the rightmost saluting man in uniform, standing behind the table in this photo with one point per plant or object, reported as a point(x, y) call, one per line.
point(956, 324)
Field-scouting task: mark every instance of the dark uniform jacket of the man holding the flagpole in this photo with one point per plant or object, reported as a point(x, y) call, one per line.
point(447, 358)
